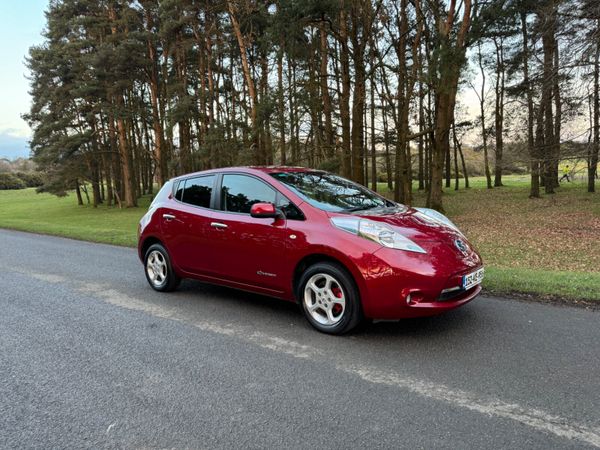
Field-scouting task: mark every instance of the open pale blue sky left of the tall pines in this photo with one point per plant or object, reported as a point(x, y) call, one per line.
point(21, 24)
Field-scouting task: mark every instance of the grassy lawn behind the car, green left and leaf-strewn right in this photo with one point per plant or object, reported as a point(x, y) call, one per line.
point(544, 247)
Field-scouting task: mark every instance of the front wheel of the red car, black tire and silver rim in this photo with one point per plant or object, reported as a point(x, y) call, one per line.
point(329, 298)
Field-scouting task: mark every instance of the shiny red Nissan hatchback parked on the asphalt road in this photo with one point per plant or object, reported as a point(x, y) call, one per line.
point(340, 250)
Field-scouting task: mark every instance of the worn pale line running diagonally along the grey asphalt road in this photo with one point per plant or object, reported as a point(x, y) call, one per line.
point(535, 418)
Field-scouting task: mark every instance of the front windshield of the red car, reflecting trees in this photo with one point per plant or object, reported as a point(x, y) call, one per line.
point(330, 192)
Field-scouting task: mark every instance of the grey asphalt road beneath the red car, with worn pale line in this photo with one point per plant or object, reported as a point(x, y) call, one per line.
point(90, 356)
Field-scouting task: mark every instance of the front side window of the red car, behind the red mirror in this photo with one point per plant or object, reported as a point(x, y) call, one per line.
point(240, 192)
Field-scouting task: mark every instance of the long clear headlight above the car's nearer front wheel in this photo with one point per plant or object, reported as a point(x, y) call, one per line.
point(376, 232)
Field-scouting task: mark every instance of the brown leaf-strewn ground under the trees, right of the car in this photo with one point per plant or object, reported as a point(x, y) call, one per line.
point(559, 232)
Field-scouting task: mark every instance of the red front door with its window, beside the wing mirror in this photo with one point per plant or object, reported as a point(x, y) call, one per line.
point(248, 250)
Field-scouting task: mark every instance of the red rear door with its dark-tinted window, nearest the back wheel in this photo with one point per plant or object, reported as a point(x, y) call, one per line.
point(186, 224)
